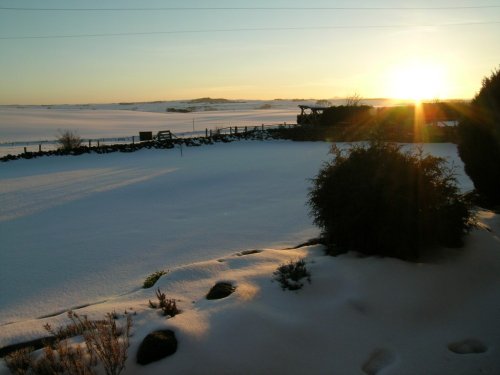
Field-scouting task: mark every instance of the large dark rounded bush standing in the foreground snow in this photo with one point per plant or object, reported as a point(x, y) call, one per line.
point(378, 200)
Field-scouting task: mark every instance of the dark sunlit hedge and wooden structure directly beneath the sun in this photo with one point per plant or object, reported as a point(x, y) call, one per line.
point(397, 123)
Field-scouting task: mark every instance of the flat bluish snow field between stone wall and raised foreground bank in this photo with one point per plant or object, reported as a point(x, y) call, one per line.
point(122, 216)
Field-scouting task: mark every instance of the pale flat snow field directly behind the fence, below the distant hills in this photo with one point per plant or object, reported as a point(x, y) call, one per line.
point(31, 127)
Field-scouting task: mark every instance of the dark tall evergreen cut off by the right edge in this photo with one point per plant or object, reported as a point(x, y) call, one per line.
point(479, 141)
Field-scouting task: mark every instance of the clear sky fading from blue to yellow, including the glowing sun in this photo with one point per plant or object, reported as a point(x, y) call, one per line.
point(248, 49)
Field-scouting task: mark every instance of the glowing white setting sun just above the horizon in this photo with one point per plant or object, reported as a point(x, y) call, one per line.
point(417, 81)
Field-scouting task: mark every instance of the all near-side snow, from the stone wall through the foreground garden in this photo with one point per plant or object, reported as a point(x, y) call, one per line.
point(87, 230)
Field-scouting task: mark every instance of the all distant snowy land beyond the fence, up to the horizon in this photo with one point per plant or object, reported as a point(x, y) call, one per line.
point(31, 126)
